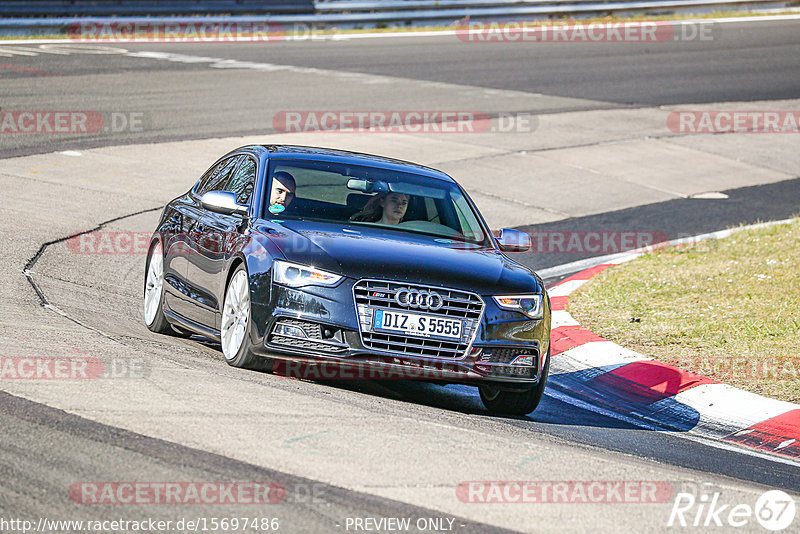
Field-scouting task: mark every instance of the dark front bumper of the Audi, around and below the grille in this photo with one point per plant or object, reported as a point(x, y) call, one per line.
point(314, 332)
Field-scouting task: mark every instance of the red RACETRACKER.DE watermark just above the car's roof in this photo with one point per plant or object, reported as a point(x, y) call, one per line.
point(403, 121)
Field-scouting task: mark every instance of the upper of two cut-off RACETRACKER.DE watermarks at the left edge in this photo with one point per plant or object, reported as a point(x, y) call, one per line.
point(70, 122)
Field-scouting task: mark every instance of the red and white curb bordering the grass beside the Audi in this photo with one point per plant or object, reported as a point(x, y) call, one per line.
point(599, 373)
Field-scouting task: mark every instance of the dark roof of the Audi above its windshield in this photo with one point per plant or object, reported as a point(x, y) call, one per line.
point(345, 156)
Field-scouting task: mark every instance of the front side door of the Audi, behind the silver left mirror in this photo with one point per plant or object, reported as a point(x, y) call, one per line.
point(215, 233)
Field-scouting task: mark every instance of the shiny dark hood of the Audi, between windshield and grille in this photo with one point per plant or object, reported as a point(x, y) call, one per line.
point(369, 252)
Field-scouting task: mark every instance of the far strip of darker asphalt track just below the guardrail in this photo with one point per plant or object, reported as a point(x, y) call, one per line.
point(742, 62)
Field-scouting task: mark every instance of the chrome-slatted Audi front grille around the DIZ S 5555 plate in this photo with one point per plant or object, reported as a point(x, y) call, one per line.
point(372, 294)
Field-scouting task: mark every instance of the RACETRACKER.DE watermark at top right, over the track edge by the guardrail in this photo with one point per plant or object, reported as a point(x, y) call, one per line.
point(601, 32)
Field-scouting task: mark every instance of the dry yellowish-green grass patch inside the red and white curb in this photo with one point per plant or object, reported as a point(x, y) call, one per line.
point(727, 309)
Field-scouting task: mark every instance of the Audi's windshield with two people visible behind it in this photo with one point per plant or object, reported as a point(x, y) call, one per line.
point(360, 195)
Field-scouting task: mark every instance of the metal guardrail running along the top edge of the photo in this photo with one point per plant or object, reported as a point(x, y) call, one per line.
point(339, 13)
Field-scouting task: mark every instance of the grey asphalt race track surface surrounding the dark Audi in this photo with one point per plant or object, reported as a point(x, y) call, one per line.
point(596, 155)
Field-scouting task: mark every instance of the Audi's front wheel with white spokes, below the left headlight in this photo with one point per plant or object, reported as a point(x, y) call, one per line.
point(236, 326)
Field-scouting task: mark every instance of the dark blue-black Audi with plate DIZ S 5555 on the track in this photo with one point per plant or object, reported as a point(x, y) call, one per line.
point(292, 255)
